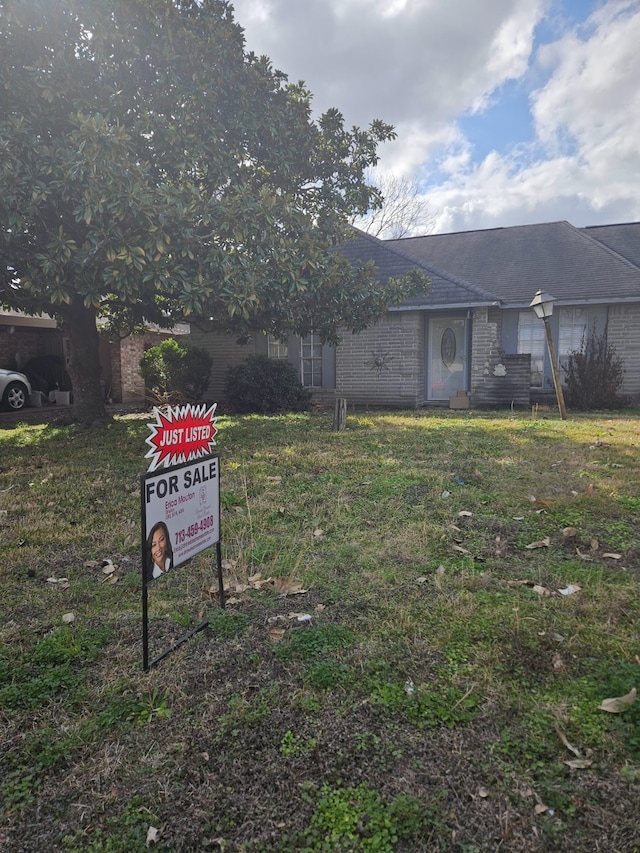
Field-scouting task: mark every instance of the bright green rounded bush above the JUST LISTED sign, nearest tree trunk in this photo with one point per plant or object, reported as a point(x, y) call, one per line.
point(175, 373)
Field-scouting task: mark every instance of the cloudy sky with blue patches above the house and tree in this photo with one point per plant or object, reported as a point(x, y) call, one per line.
point(508, 112)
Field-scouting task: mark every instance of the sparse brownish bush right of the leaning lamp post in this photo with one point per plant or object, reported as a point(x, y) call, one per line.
point(594, 375)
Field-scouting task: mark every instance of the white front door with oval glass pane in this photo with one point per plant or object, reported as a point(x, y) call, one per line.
point(446, 357)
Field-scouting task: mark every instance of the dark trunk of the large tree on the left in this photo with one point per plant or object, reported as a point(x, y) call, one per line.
point(79, 323)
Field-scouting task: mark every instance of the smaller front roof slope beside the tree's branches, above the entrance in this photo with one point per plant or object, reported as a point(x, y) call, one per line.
point(447, 290)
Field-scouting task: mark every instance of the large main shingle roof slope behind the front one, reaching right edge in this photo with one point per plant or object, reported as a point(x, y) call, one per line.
point(513, 263)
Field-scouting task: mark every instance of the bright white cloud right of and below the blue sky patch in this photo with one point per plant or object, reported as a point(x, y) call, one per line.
point(585, 165)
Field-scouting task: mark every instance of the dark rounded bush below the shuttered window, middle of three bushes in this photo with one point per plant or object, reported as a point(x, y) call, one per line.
point(264, 386)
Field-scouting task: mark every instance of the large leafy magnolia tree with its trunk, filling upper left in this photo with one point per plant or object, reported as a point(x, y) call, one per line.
point(153, 170)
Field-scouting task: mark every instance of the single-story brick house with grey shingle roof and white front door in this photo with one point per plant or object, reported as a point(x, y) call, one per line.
point(472, 339)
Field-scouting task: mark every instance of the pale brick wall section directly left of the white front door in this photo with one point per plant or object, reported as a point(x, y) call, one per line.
point(384, 365)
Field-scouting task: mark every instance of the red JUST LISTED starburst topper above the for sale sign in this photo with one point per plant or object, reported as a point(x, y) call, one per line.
point(180, 435)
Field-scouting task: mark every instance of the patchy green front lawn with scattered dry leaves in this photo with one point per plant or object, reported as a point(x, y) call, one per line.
point(425, 701)
